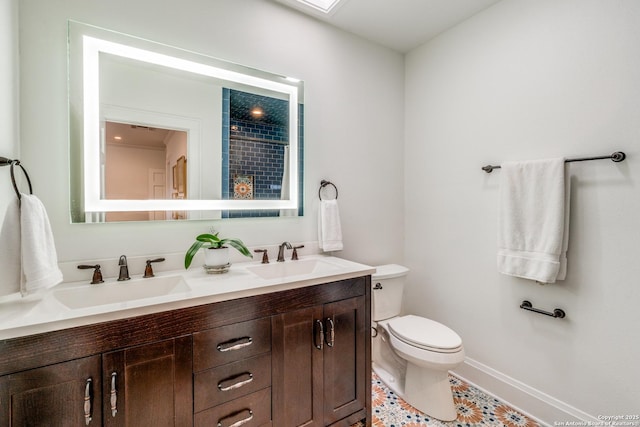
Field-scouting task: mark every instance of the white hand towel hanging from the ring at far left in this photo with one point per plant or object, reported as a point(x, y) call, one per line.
point(39, 257)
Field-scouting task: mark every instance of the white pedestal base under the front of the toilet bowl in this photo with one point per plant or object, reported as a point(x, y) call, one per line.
point(429, 391)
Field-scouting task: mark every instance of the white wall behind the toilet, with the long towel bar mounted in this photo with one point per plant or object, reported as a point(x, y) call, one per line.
point(522, 80)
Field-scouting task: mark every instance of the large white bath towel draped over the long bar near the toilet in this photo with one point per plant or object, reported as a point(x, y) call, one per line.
point(534, 211)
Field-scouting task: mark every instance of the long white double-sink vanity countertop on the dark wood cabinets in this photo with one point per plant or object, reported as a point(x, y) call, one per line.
point(77, 303)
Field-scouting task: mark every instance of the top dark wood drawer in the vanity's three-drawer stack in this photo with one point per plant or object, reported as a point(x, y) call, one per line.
point(230, 343)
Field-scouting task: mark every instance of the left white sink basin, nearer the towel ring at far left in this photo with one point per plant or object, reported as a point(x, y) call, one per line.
point(119, 292)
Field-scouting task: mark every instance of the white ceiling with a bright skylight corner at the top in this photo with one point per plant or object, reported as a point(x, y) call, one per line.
point(401, 25)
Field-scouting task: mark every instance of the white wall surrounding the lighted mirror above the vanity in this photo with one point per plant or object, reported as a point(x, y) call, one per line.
point(353, 115)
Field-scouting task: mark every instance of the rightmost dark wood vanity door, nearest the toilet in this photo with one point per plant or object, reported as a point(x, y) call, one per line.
point(344, 358)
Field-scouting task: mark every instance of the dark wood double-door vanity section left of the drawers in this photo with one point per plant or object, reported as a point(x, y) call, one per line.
point(147, 385)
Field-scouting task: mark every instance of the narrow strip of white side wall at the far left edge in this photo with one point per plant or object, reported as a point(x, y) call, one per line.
point(9, 134)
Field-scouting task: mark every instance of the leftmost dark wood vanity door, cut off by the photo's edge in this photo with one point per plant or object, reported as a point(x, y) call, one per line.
point(63, 395)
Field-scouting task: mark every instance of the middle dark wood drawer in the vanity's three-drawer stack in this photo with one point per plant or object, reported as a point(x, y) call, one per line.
point(227, 382)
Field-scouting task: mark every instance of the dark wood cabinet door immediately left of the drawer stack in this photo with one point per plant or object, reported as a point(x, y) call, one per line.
point(149, 385)
